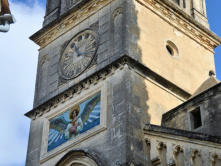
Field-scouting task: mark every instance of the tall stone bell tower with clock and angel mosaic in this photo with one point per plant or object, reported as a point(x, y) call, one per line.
point(107, 68)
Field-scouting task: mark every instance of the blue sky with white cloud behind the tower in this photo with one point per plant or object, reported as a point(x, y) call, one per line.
point(18, 67)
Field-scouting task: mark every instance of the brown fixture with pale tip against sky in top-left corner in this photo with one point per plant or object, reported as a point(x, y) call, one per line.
point(6, 18)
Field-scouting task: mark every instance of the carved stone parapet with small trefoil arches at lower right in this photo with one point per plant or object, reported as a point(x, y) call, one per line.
point(192, 148)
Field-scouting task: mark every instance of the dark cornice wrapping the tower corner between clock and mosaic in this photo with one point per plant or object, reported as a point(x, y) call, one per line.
point(101, 75)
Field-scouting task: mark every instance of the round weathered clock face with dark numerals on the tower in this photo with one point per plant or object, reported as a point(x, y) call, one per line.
point(78, 54)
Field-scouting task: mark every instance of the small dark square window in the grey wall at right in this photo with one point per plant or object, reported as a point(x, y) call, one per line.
point(195, 117)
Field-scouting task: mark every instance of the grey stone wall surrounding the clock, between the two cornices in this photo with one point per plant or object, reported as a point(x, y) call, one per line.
point(108, 24)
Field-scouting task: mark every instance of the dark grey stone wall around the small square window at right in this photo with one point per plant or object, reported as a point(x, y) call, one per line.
point(210, 113)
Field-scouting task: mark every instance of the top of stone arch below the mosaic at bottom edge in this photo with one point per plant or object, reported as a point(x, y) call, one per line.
point(78, 158)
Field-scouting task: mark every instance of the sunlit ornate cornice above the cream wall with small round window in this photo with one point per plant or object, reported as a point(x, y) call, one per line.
point(188, 26)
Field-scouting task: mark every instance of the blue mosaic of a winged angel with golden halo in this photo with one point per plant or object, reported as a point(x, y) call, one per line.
point(75, 121)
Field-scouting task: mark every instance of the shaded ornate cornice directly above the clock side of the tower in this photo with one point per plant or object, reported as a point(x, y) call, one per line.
point(59, 27)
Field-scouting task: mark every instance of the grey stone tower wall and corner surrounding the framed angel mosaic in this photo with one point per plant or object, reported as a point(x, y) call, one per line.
point(122, 141)
